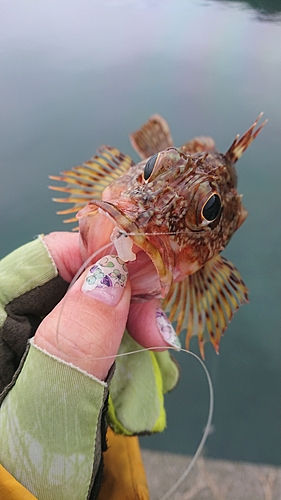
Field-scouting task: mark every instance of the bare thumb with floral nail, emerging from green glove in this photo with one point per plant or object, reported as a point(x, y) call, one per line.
point(87, 326)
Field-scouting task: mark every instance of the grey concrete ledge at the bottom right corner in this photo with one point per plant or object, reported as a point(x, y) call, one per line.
point(210, 479)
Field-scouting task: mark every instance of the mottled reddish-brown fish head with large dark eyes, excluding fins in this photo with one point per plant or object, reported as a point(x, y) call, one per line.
point(180, 209)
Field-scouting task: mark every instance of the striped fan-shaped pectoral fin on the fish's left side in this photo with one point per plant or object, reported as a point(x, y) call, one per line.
point(88, 181)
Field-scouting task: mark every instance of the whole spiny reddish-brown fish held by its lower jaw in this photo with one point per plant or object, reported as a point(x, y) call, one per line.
point(169, 217)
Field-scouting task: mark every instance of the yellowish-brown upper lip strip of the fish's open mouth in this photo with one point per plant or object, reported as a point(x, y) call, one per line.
point(140, 240)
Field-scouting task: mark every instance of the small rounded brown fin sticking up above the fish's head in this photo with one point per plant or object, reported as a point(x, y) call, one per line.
point(152, 137)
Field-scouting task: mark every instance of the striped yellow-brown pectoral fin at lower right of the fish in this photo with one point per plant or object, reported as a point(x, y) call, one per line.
point(204, 302)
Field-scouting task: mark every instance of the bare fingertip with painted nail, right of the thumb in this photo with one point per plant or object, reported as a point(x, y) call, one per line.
point(150, 327)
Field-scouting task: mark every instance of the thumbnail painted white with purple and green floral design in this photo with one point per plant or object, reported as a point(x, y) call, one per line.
point(106, 280)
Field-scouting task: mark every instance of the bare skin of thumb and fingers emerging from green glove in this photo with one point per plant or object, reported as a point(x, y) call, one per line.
point(87, 326)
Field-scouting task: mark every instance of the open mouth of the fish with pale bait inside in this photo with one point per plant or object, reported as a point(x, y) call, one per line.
point(146, 257)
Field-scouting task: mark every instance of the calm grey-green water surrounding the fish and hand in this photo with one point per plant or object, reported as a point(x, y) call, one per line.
point(78, 75)
